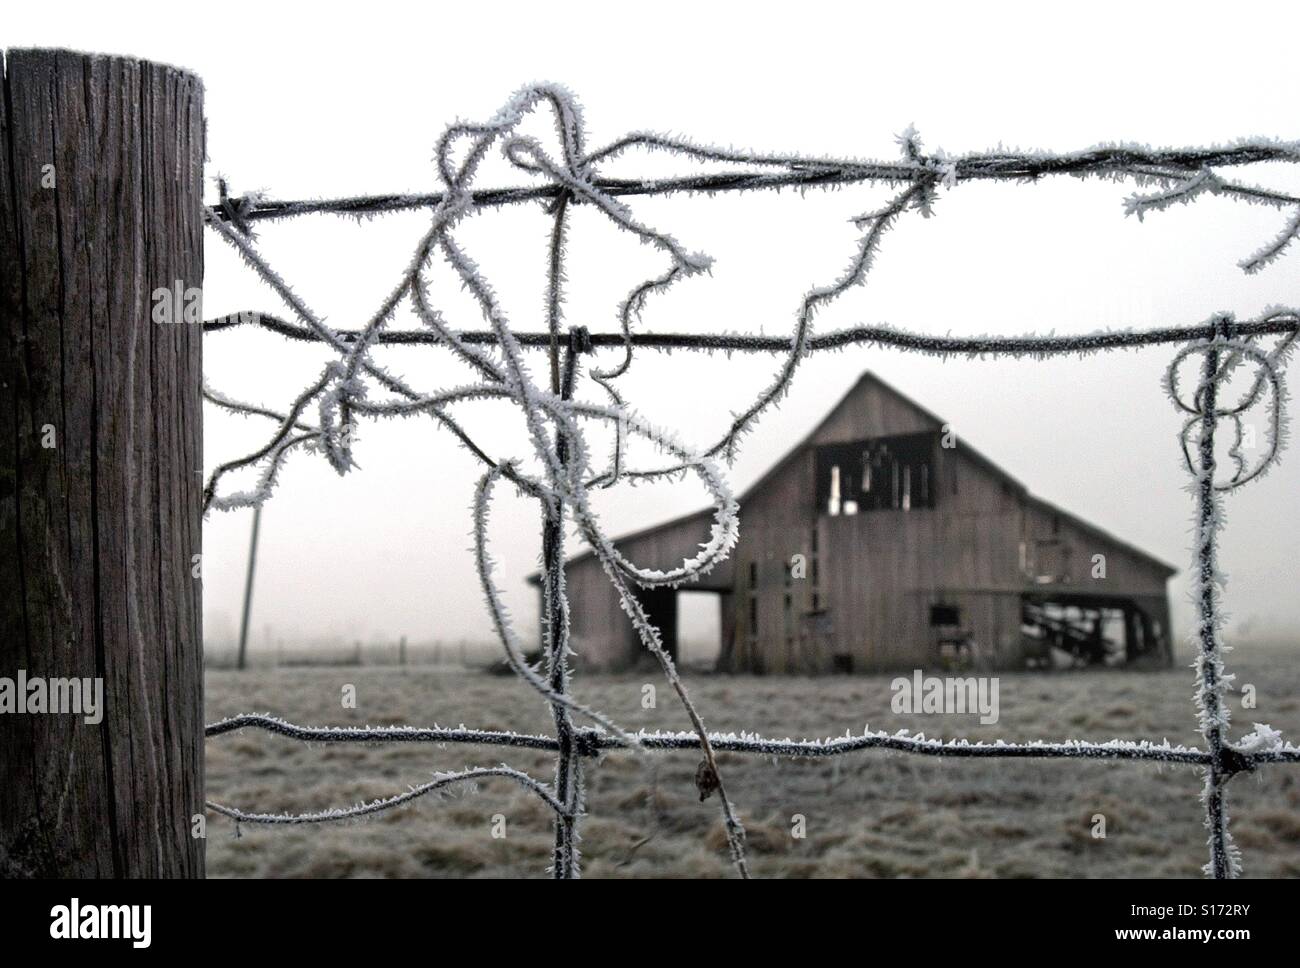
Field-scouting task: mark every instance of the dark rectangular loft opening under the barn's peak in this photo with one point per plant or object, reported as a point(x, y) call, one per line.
point(882, 474)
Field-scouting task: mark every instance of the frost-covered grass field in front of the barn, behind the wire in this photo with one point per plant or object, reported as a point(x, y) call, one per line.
point(868, 815)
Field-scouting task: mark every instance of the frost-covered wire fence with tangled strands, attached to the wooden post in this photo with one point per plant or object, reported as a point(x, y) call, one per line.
point(567, 176)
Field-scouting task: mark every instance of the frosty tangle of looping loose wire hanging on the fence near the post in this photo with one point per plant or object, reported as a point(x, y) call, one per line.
point(553, 419)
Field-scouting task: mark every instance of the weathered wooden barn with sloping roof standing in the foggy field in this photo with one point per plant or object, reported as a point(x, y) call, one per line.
point(885, 542)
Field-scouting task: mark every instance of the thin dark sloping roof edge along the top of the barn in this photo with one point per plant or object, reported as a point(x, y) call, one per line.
point(968, 452)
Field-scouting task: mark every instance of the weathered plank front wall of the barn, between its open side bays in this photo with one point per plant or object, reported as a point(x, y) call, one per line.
point(879, 572)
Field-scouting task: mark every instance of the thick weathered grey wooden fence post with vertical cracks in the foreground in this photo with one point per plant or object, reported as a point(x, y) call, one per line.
point(101, 466)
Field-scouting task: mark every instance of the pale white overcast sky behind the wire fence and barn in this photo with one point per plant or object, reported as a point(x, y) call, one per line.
point(332, 101)
